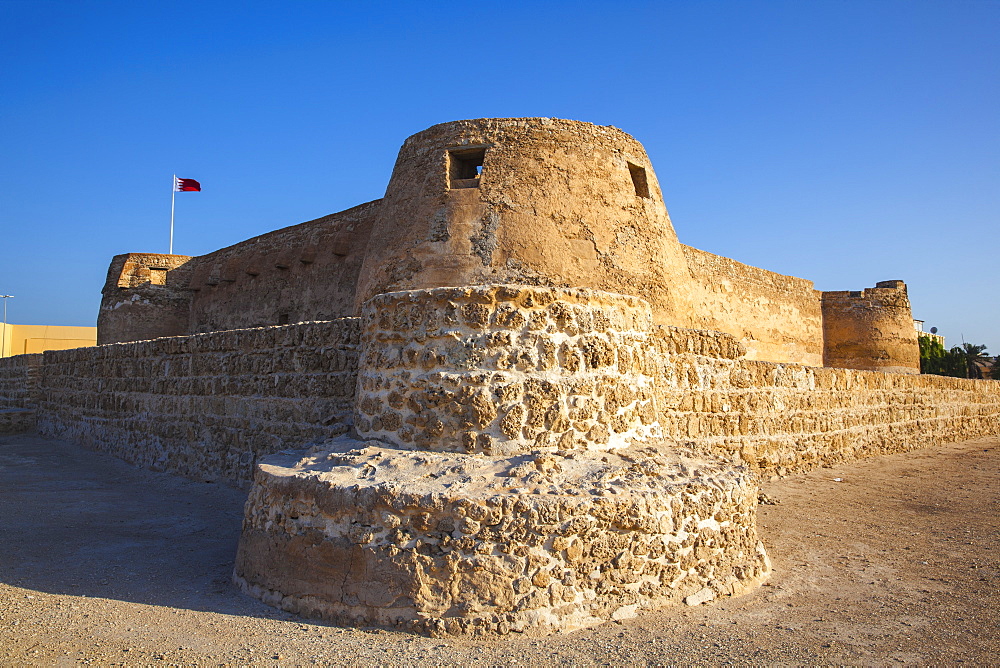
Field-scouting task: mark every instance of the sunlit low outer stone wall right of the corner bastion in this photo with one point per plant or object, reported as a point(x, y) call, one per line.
point(786, 418)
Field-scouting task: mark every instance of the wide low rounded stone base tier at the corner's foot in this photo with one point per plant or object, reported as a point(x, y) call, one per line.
point(451, 543)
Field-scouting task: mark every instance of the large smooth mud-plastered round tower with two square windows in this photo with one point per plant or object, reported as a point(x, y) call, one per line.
point(534, 201)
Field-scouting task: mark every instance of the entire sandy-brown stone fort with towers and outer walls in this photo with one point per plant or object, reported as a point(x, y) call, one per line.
point(502, 398)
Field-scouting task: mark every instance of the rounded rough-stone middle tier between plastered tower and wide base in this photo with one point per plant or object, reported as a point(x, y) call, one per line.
point(505, 369)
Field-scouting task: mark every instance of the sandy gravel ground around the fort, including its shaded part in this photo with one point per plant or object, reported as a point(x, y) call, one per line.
point(893, 560)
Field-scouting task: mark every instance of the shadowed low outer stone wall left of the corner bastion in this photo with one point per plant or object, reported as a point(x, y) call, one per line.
point(208, 405)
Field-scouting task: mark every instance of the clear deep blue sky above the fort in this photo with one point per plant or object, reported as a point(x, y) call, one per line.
point(845, 142)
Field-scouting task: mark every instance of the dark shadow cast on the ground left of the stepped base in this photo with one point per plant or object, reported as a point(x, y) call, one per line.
point(87, 524)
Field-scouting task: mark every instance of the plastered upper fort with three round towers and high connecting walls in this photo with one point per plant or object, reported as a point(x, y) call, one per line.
point(534, 201)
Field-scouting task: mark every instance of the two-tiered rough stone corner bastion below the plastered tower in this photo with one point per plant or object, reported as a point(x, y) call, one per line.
point(507, 474)
